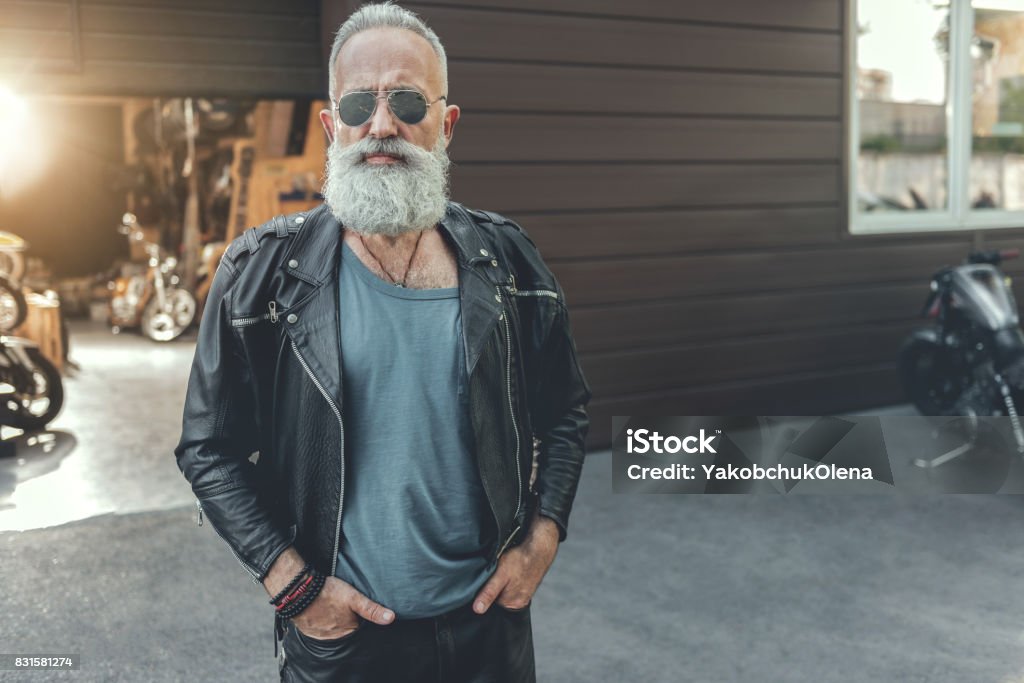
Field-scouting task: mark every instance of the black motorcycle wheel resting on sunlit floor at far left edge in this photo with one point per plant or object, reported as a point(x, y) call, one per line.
point(37, 396)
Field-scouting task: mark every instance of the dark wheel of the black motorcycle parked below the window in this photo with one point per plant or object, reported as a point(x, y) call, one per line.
point(935, 378)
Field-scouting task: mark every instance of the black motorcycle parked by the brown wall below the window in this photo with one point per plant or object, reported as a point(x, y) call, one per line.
point(971, 361)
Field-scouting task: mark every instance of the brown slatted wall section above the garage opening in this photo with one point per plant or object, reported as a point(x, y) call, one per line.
point(269, 49)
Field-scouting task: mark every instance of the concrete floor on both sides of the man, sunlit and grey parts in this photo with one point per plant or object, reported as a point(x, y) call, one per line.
point(648, 588)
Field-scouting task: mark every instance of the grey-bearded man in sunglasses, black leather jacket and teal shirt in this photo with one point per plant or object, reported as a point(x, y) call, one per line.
point(386, 417)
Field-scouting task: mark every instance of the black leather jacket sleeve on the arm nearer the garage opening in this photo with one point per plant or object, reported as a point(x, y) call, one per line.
point(220, 434)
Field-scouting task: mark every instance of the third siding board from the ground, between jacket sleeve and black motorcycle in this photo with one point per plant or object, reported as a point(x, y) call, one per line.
point(740, 317)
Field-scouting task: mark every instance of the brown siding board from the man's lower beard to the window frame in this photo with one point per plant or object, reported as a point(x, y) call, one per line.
point(564, 187)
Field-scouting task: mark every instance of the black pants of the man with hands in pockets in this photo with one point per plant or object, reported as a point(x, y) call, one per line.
point(458, 648)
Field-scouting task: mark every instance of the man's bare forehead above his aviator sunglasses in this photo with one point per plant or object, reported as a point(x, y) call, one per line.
point(388, 59)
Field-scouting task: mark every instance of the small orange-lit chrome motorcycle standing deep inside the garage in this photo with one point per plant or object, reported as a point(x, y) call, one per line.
point(153, 301)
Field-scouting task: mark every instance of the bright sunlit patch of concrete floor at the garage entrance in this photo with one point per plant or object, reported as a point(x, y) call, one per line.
point(113, 443)
